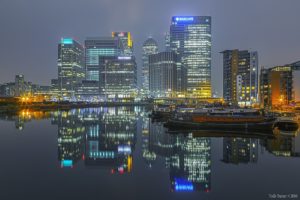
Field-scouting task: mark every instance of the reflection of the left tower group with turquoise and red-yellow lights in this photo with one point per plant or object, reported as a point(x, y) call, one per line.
point(102, 137)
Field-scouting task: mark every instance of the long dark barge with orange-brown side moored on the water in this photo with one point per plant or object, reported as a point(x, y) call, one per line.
point(221, 119)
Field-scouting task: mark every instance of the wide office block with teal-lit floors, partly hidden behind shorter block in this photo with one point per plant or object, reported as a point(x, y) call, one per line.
point(95, 47)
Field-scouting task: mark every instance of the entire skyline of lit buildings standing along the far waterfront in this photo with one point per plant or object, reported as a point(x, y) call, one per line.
point(105, 69)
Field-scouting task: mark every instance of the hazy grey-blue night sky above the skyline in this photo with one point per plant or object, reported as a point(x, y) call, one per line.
point(31, 29)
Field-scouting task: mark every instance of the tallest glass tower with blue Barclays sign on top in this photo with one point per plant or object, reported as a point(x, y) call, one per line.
point(190, 38)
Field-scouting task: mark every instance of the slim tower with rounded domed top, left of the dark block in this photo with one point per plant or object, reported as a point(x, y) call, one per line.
point(149, 47)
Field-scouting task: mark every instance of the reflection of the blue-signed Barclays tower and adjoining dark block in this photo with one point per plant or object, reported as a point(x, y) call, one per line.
point(188, 158)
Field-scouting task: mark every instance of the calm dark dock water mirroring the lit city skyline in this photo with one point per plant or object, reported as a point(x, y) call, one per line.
point(118, 153)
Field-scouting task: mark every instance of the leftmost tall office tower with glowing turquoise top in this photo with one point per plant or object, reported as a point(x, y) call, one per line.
point(70, 66)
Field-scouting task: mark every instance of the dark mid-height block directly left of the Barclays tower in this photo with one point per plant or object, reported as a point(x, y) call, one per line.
point(163, 74)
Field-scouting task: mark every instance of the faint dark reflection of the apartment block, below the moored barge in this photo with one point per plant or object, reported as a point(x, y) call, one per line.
point(240, 150)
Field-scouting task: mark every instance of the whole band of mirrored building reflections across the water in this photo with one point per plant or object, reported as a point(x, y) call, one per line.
point(106, 138)
